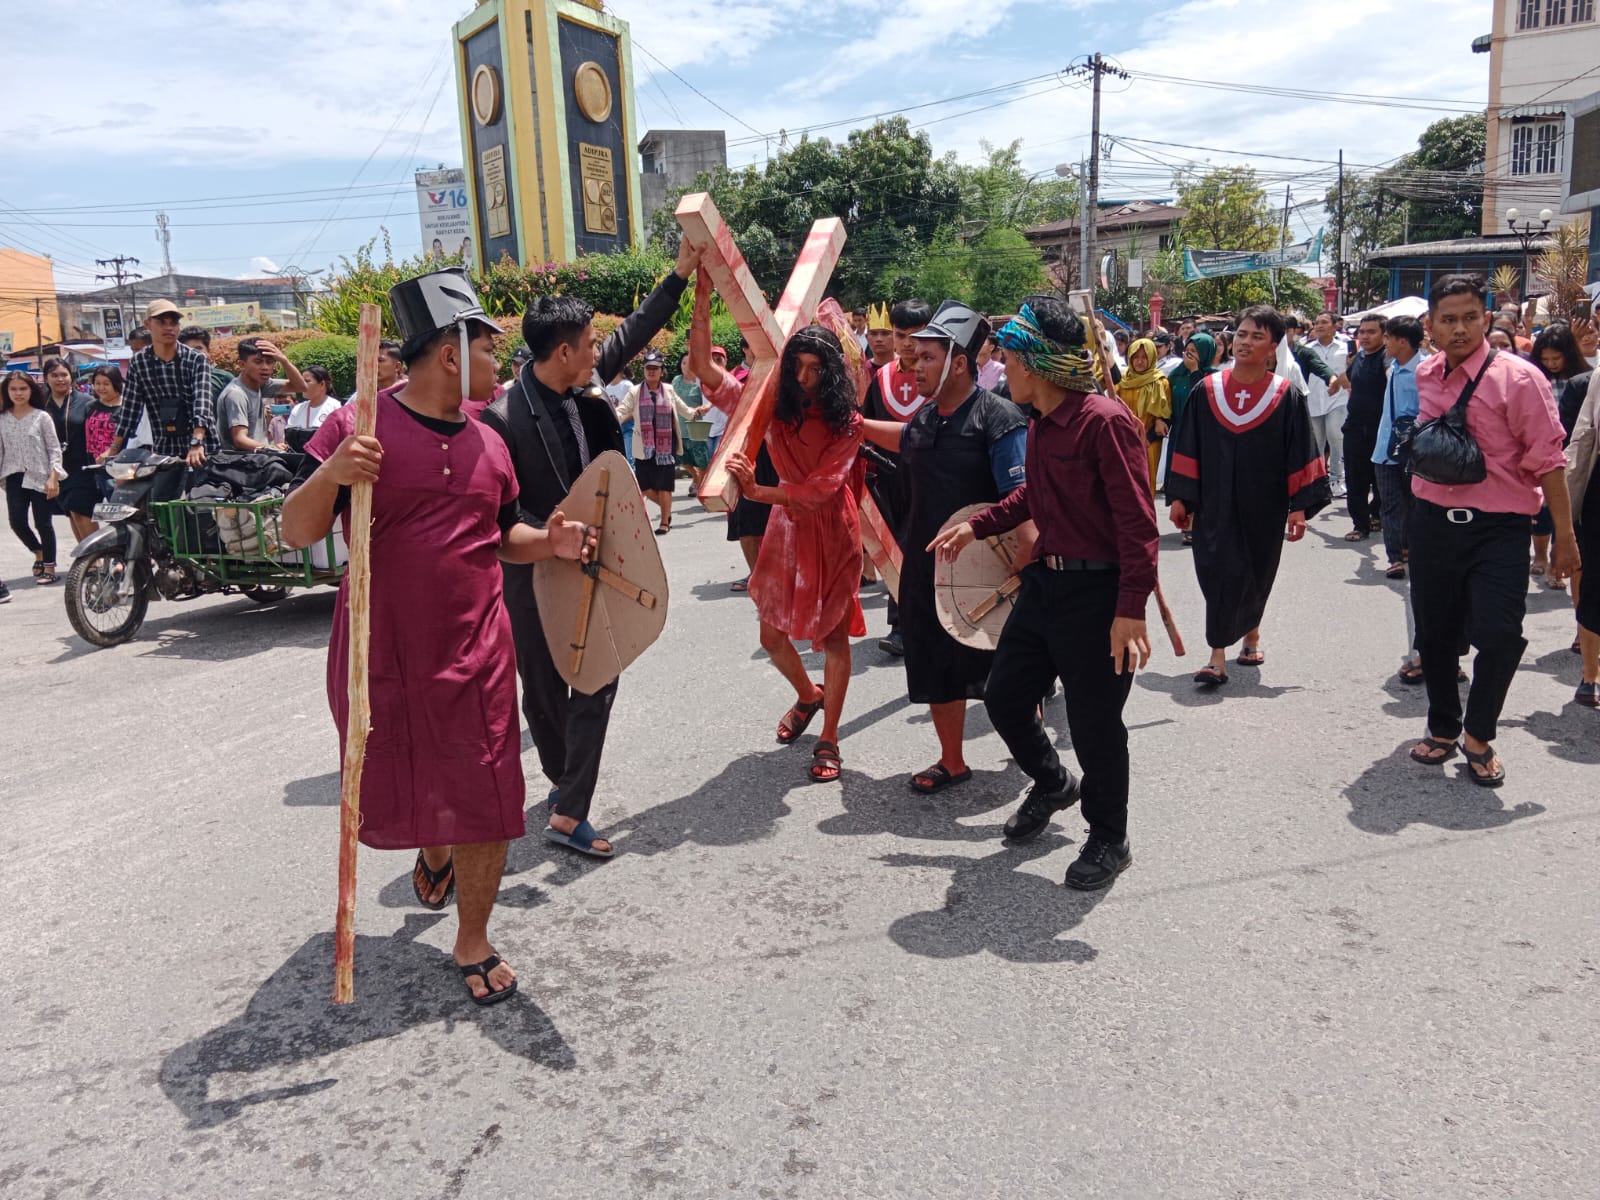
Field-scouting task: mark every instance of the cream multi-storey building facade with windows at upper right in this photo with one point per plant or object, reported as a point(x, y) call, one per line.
point(1543, 55)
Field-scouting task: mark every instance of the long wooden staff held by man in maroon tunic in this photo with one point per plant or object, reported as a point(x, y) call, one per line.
point(359, 610)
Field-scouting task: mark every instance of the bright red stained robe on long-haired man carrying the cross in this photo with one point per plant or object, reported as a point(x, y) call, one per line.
point(807, 578)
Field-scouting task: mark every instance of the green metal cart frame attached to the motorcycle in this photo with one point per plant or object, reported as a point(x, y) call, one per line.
point(193, 532)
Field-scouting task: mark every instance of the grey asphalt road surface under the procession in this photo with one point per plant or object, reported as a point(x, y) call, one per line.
point(1329, 974)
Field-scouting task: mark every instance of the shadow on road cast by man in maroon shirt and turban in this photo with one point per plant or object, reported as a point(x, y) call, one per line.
point(993, 906)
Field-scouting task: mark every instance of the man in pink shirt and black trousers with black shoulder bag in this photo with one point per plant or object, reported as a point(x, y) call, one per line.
point(1470, 543)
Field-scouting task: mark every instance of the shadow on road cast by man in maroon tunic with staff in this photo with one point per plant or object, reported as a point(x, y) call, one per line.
point(399, 983)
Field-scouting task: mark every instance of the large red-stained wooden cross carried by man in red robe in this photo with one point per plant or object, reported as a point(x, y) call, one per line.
point(766, 332)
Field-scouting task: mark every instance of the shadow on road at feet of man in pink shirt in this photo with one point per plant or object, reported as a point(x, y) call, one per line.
point(1396, 793)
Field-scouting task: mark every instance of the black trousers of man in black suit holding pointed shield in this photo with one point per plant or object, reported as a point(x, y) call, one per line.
point(569, 727)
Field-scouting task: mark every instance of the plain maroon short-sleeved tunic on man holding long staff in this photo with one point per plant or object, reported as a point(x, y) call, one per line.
point(444, 759)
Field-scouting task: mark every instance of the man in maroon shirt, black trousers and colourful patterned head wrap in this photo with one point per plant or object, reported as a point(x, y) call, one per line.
point(1081, 612)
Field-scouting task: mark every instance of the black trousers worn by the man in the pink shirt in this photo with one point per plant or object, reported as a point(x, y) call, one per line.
point(1470, 583)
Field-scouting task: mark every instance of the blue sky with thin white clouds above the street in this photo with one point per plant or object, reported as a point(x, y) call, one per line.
point(318, 114)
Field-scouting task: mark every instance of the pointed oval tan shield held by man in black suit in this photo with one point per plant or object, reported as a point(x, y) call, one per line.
point(598, 622)
